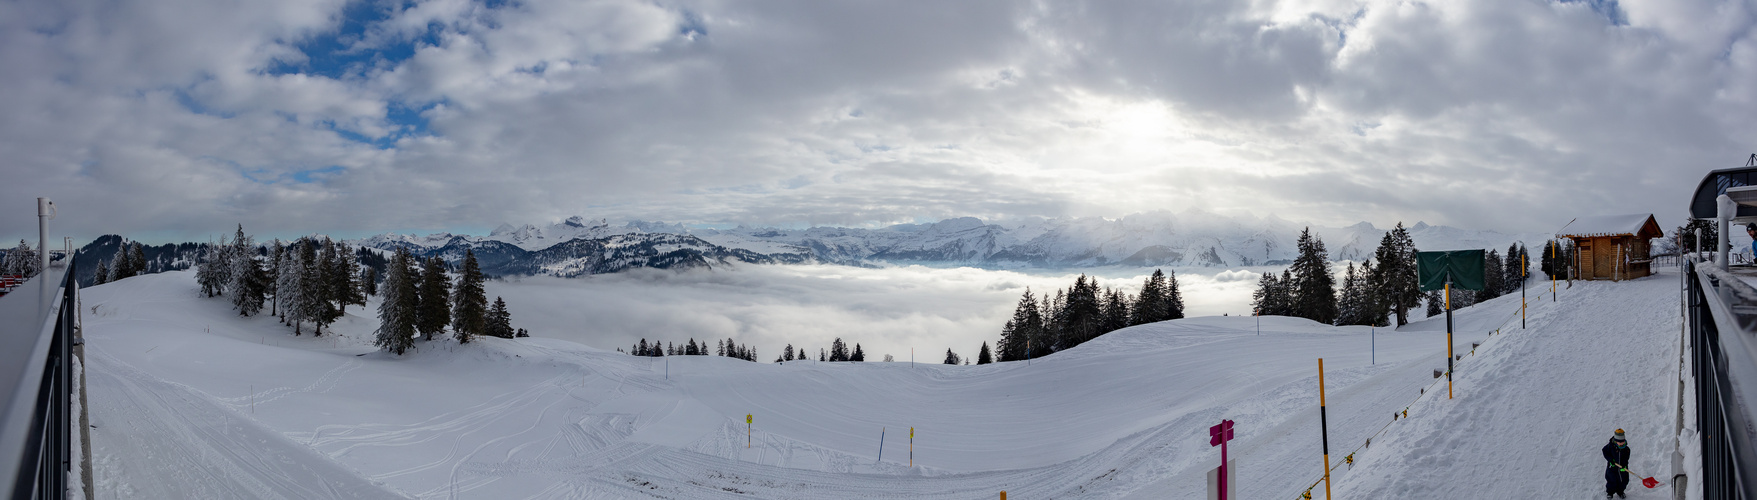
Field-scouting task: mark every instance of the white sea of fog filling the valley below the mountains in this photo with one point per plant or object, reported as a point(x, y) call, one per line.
point(888, 311)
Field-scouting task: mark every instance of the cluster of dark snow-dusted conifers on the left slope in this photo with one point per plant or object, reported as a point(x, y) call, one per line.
point(314, 280)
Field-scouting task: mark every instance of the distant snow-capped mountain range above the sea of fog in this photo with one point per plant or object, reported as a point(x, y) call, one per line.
point(1155, 239)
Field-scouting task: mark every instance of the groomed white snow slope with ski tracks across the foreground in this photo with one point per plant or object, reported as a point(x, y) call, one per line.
point(191, 401)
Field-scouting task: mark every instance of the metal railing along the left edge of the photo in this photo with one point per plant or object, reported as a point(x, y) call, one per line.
point(36, 373)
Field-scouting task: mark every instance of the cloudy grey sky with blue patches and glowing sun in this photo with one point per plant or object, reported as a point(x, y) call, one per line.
point(178, 118)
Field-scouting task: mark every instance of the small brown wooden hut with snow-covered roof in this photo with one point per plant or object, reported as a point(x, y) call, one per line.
point(1614, 246)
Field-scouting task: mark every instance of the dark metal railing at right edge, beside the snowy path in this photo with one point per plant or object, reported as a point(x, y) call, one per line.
point(1721, 318)
